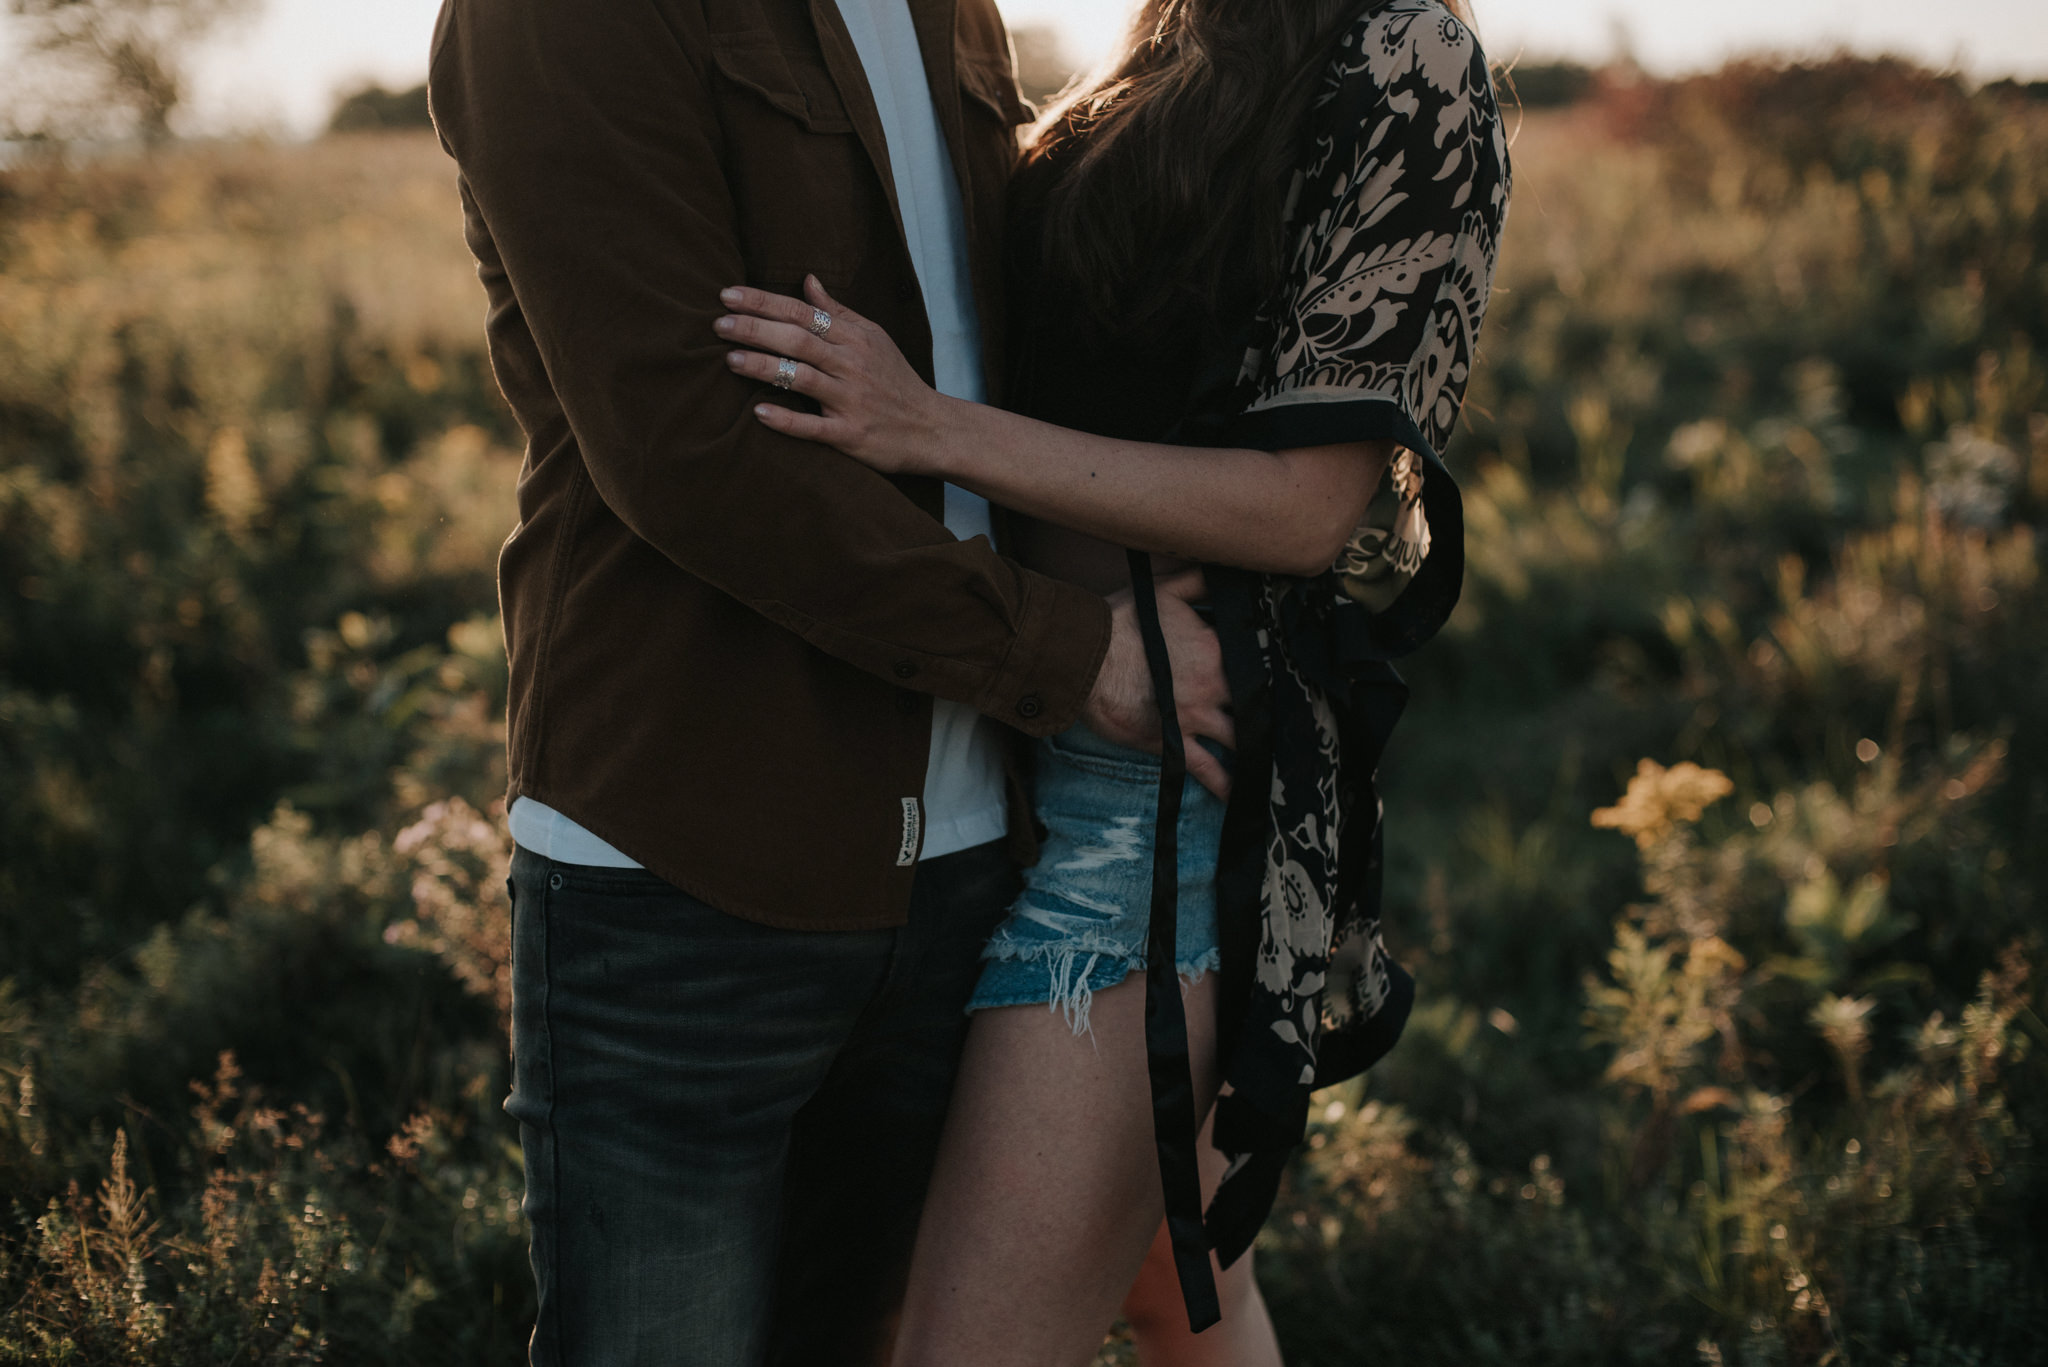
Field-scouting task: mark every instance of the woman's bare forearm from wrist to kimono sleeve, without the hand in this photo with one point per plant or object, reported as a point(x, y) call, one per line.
point(1279, 511)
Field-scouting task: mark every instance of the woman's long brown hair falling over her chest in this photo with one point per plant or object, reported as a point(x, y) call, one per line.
point(1183, 149)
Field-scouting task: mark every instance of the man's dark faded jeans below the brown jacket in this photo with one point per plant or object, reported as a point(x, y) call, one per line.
point(730, 1128)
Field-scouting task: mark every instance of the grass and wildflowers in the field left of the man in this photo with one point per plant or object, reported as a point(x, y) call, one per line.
point(251, 702)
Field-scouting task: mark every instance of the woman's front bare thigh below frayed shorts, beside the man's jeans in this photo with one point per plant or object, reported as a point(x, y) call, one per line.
point(1048, 1186)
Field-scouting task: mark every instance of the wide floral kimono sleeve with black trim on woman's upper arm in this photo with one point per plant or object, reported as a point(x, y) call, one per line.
point(1396, 233)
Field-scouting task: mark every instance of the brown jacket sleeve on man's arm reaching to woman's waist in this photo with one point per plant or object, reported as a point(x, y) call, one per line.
point(591, 163)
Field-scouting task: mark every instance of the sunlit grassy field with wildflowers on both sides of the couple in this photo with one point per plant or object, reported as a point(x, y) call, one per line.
point(1719, 825)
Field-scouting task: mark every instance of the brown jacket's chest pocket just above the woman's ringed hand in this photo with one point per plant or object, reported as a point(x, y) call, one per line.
point(802, 188)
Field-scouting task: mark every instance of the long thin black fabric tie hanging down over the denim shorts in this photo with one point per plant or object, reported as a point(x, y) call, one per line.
point(1166, 1018)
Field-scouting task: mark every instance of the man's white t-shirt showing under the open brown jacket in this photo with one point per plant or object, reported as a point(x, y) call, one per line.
point(964, 782)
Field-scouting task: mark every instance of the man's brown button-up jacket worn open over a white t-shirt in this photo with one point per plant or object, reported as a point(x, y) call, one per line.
point(726, 643)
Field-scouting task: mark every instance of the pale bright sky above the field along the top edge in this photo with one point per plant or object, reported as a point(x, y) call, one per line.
point(282, 71)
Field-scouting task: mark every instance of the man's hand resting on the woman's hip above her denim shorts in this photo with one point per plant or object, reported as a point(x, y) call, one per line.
point(1123, 708)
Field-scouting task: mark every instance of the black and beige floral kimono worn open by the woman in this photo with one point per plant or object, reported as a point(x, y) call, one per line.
point(1396, 222)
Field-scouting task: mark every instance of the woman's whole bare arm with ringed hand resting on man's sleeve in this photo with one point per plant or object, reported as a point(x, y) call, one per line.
point(1283, 511)
